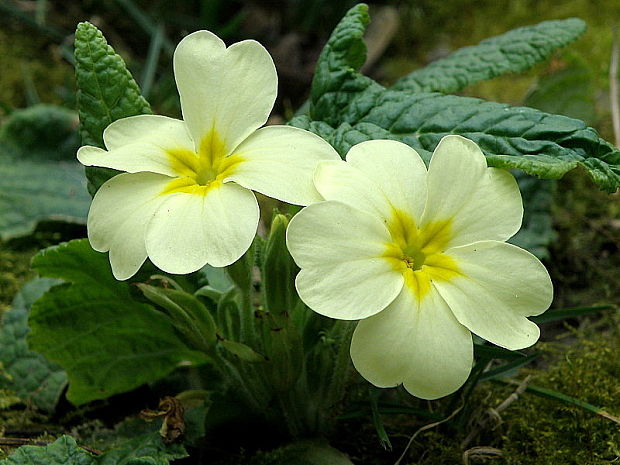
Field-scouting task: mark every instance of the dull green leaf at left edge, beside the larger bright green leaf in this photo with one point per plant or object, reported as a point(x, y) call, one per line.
point(32, 377)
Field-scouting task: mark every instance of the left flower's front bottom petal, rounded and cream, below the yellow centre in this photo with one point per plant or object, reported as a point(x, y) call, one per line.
point(190, 230)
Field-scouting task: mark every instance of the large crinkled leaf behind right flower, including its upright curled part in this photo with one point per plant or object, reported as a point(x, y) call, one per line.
point(347, 108)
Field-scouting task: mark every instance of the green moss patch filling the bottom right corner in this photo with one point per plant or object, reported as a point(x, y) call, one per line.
point(543, 432)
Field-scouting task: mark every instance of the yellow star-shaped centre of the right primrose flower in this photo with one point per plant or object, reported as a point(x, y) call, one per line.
point(418, 253)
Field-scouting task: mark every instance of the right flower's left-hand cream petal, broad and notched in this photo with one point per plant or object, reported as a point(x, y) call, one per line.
point(343, 274)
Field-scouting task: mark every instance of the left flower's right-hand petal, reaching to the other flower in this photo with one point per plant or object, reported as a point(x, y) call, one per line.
point(279, 161)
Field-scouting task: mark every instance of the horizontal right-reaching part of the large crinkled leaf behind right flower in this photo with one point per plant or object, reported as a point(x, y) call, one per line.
point(541, 144)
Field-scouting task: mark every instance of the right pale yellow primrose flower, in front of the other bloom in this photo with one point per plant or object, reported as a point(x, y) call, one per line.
point(419, 256)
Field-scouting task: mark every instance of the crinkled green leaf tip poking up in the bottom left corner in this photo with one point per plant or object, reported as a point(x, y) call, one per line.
point(63, 451)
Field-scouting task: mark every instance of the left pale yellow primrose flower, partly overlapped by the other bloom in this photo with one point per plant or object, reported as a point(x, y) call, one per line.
point(185, 199)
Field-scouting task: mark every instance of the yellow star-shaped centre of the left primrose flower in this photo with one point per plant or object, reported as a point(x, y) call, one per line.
point(200, 172)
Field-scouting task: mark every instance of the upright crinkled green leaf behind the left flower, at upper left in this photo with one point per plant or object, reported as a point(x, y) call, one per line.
point(106, 91)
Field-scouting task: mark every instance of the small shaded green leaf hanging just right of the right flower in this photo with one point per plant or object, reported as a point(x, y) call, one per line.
point(536, 231)
